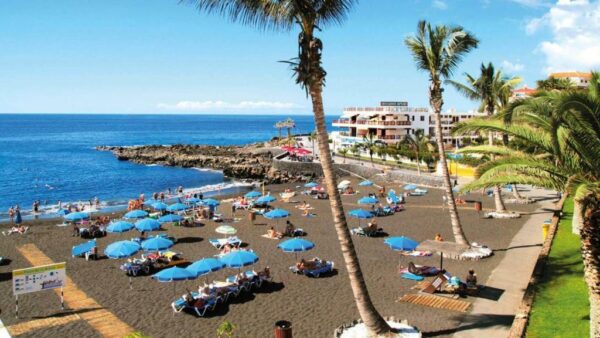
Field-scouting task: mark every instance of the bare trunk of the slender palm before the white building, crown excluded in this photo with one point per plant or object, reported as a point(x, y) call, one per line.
point(436, 104)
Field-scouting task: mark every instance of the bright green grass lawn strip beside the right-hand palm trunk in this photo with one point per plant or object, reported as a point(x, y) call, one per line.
point(561, 307)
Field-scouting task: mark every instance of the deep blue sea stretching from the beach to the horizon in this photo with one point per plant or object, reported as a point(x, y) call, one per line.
point(52, 157)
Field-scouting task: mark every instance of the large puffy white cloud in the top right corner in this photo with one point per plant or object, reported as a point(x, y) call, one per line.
point(575, 31)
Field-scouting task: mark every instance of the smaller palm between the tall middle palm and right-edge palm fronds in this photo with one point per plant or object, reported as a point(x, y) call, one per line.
point(491, 87)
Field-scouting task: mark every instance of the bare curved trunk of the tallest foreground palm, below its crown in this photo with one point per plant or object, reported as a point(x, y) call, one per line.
point(372, 319)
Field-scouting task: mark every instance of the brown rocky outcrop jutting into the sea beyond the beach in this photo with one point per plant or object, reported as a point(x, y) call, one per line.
point(253, 161)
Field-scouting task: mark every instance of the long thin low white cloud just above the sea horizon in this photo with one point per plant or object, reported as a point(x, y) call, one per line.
point(222, 105)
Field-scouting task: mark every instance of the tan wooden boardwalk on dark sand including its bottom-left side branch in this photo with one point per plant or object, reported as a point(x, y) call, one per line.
point(102, 320)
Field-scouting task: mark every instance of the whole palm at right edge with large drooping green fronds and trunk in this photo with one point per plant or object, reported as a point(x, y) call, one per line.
point(564, 129)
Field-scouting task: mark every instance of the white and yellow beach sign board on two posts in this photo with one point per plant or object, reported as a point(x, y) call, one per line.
point(39, 278)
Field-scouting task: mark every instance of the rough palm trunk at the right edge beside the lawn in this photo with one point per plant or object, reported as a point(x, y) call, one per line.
point(590, 250)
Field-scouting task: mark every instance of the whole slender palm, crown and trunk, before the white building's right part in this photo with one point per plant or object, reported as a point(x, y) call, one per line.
point(438, 51)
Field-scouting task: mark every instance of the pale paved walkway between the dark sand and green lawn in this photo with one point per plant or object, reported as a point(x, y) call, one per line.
point(491, 318)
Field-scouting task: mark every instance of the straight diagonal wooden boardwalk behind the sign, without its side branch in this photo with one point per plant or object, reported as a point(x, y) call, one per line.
point(102, 320)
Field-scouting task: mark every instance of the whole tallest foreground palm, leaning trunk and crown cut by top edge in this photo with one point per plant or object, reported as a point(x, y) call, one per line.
point(311, 16)
